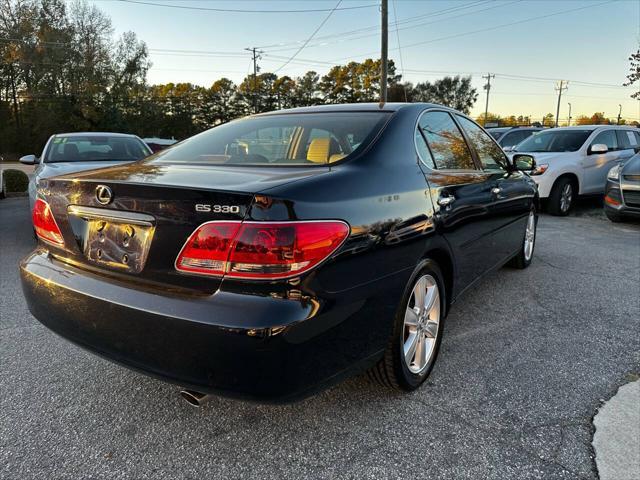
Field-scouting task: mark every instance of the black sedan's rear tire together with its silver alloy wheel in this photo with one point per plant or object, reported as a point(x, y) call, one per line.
point(407, 362)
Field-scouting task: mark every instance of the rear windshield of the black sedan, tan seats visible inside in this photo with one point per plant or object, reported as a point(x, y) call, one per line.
point(279, 140)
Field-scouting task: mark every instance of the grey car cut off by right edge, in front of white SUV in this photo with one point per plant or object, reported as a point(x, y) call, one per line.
point(622, 193)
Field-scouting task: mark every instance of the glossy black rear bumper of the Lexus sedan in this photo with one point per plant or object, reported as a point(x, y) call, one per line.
point(248, 346)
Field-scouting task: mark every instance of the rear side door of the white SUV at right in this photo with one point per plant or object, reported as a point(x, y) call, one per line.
point(596, 165)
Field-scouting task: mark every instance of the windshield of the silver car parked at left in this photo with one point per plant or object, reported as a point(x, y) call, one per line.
point(83, 148)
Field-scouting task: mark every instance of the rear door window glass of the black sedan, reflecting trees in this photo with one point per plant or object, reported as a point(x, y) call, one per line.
point(449, 149)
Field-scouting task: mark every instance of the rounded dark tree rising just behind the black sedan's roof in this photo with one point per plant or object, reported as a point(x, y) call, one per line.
point(455, 92)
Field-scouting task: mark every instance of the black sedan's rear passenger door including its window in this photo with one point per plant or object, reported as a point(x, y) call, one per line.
point(461, 193)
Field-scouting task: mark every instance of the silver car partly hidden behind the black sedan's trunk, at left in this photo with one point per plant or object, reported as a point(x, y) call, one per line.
point(76, 152)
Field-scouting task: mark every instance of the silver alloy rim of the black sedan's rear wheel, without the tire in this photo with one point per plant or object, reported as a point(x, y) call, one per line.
point(421, 324)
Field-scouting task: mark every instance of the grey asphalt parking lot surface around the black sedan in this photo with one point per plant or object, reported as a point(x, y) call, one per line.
point(527, 359)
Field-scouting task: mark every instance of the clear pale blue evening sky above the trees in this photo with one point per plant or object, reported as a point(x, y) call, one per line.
point(528, 44)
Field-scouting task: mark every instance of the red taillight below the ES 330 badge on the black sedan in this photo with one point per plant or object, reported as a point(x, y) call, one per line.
point(260, 250)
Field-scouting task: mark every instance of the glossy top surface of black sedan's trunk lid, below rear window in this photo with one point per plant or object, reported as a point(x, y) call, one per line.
point(215, 177)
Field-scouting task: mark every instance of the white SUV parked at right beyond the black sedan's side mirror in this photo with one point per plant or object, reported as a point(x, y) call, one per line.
point(574, 161)
